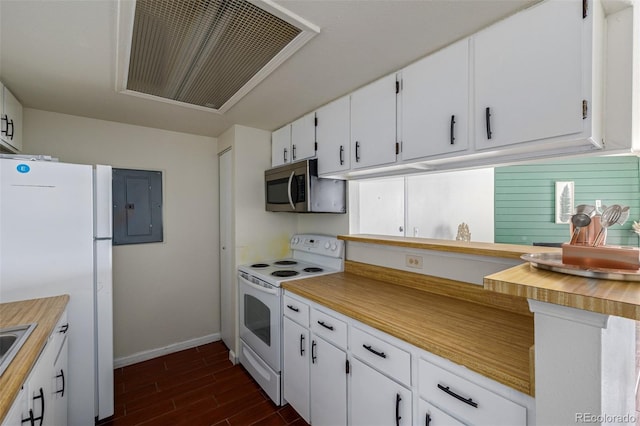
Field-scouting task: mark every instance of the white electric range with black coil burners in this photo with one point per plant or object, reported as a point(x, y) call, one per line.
point(260, 304)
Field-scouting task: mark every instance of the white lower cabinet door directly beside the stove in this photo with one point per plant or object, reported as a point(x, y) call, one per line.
point(295, 380)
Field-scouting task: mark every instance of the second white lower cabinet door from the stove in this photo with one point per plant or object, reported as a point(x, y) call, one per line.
point(328, 384)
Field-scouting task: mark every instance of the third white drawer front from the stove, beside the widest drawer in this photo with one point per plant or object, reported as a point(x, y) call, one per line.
point(384, 356)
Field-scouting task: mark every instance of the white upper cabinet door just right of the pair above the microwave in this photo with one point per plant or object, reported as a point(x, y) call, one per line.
point(332, 135)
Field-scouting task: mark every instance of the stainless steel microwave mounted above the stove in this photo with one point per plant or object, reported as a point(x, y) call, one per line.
point(297, 188)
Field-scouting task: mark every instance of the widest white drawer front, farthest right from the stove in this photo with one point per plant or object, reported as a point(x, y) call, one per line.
point(466, 400)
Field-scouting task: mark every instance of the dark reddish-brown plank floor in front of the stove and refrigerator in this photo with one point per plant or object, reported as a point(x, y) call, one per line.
point(197, 386)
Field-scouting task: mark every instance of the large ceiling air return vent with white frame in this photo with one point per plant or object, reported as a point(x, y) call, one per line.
point(206, 54)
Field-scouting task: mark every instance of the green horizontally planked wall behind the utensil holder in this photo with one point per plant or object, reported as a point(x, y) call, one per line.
point(525, 197)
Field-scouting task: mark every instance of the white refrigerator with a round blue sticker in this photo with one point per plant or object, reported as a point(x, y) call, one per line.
point(55, 238)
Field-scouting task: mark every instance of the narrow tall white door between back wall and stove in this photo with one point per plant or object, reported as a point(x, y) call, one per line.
point(227, 267)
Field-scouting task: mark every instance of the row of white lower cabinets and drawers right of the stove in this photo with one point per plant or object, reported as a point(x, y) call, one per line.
point(339, 371)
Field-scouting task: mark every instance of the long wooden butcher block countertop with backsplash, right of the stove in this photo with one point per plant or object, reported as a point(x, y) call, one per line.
point(494, 342)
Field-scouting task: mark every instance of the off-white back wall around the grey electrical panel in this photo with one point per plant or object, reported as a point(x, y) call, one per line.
point(164, 293)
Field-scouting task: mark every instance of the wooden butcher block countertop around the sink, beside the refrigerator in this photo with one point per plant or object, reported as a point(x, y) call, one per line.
point(45, 312)
